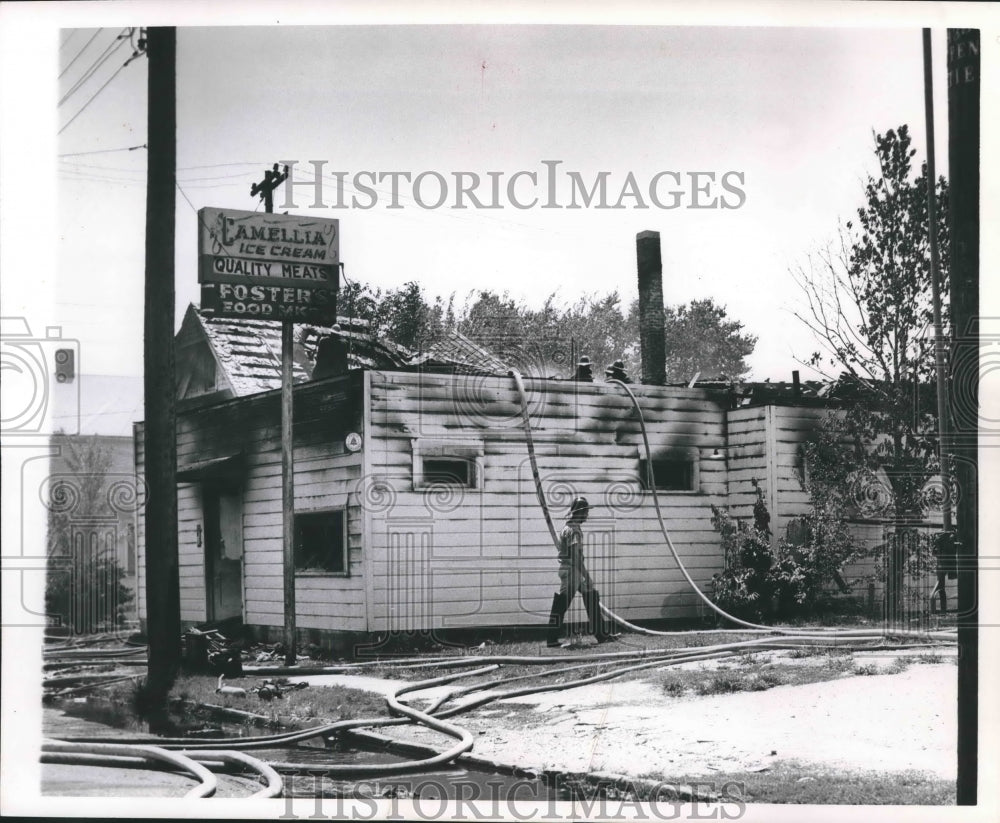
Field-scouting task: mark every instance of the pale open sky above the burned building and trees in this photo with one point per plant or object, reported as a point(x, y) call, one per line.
point(790, 110)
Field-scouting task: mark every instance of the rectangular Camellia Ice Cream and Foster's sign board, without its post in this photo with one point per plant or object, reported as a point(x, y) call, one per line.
point(268, 266)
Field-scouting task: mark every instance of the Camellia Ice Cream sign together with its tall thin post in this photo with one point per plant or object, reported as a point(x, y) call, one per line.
point(272, 267)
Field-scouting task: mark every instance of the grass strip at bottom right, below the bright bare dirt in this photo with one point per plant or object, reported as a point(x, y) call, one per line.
point(794, 782)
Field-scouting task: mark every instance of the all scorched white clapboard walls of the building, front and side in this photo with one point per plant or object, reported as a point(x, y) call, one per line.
point(447, 557)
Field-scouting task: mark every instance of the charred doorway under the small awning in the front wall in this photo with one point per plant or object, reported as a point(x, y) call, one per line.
point(223, 509)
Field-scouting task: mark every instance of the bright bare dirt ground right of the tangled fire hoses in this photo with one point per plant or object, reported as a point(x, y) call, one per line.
point(882, 722)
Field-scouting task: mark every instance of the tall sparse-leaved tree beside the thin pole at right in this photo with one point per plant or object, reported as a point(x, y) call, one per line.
point(869, 306)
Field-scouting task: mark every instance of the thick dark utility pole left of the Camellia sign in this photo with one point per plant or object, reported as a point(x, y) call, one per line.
point(163, 624)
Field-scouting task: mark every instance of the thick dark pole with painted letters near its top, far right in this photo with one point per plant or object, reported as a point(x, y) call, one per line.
point(963, 222)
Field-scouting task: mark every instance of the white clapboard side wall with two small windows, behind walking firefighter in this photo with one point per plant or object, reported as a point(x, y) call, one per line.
point(461, 557)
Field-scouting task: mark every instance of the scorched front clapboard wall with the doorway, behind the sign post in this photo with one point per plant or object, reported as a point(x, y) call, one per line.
point(326, 477)
